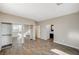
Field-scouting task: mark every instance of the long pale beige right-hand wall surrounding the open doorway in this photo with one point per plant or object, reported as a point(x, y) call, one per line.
point(66, 30)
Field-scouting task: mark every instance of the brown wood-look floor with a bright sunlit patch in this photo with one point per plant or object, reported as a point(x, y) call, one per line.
point(39, 47)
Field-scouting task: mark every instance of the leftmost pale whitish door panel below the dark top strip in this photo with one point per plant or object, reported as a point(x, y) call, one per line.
point(6, 29)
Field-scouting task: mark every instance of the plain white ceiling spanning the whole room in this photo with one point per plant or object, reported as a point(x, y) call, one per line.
point(39, 11)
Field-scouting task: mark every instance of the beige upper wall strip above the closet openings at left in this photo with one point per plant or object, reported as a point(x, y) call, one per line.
point(15, 19)
